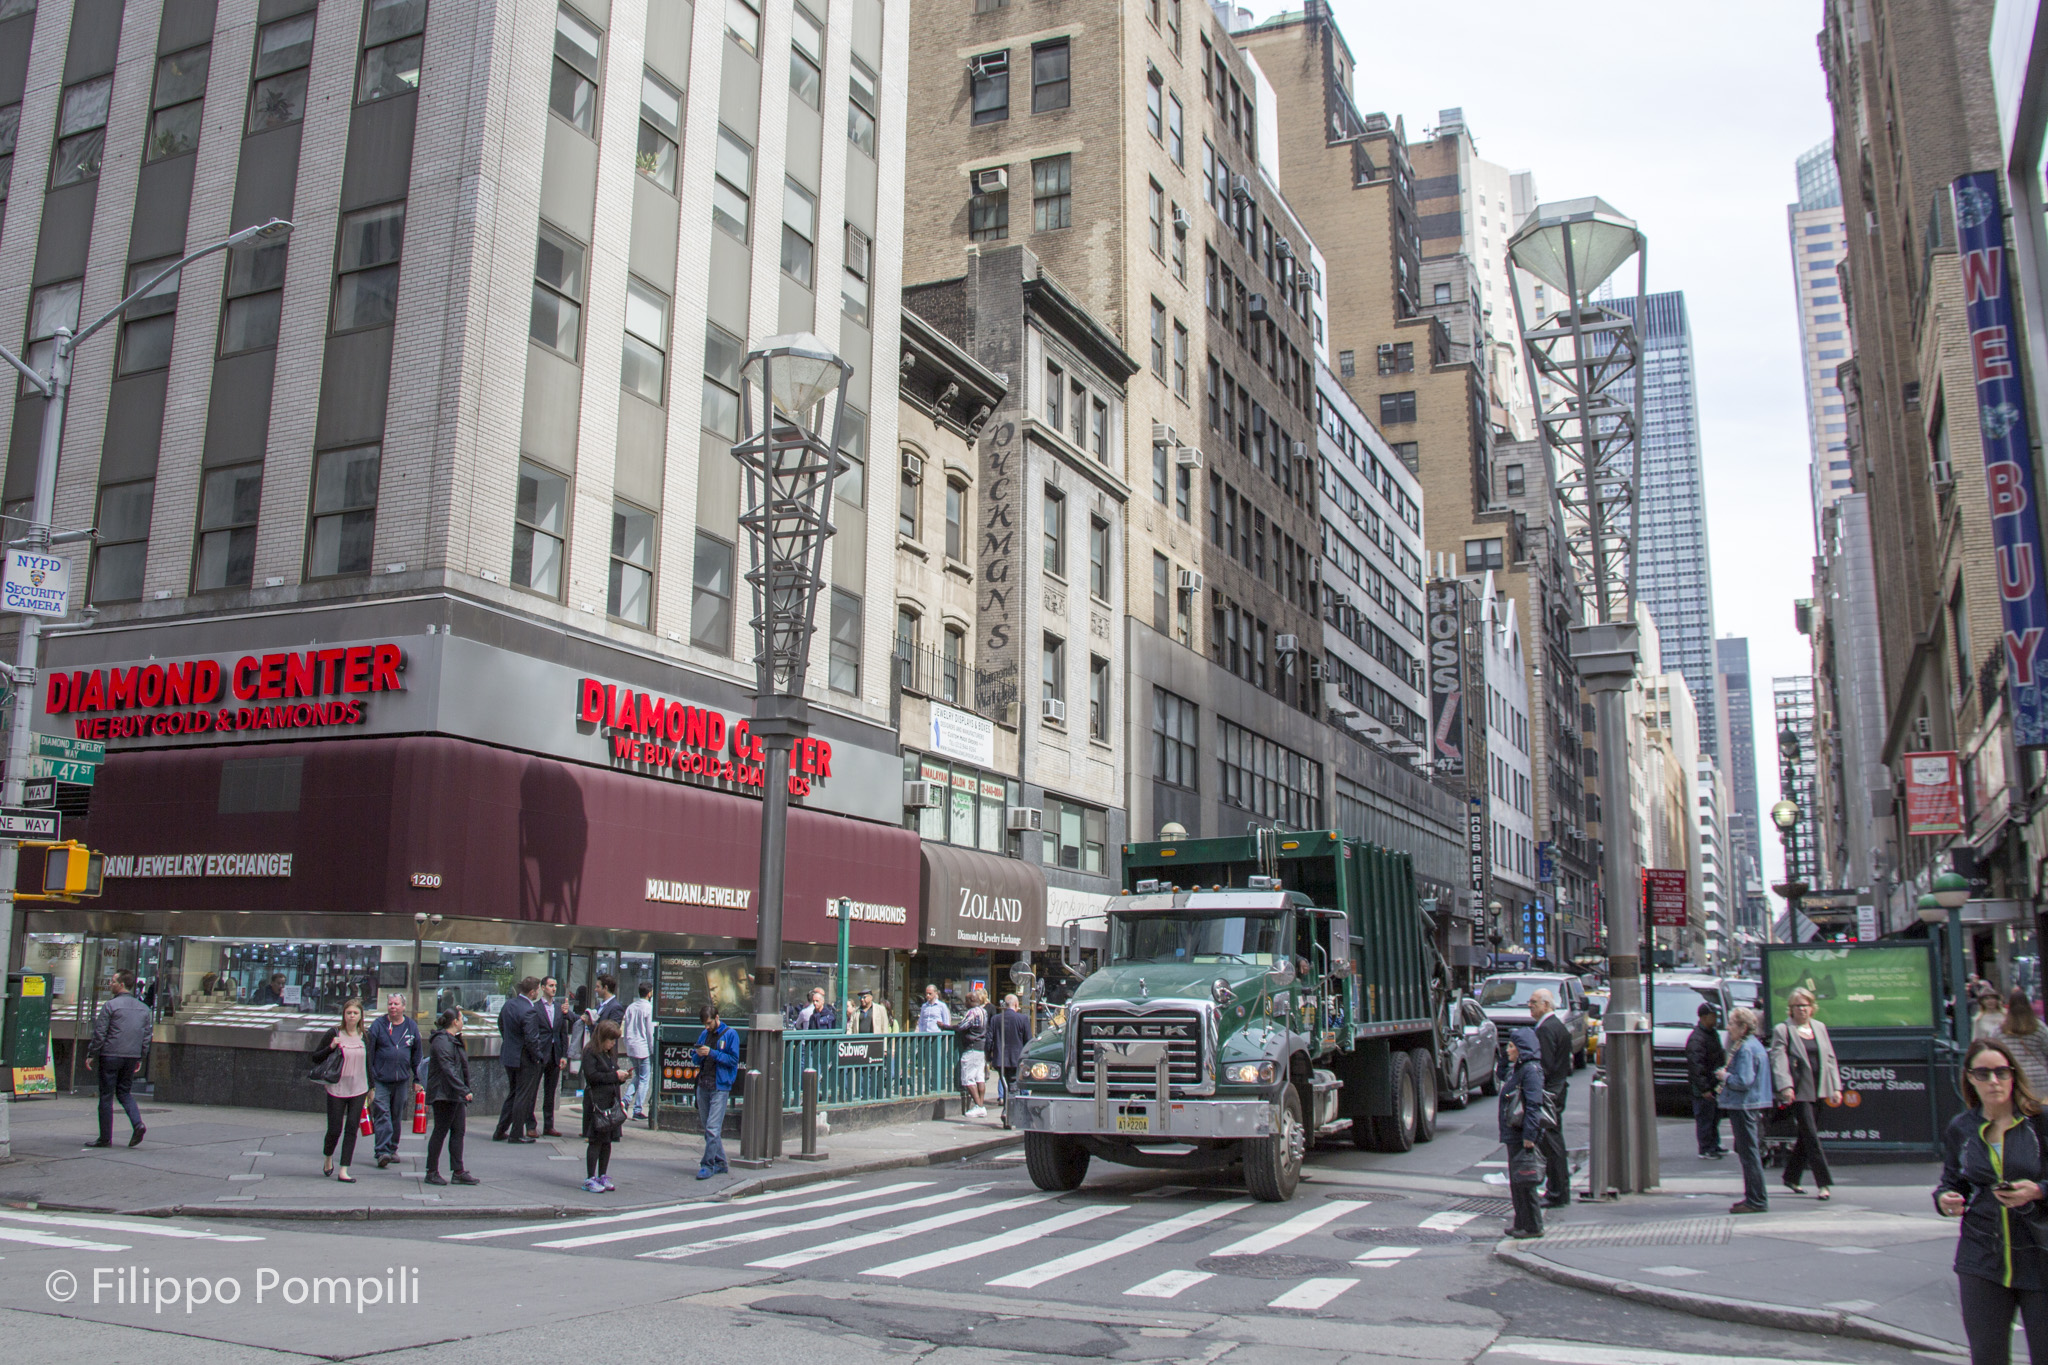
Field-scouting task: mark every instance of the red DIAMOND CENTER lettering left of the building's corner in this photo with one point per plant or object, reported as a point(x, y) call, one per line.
point(310, 689)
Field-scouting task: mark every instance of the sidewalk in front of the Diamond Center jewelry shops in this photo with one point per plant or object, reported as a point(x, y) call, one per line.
point(265, 1163)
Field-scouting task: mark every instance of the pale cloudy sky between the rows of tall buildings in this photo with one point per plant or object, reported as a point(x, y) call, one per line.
point(1687, 120)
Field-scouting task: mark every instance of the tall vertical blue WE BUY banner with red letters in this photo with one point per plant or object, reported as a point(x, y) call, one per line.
point(2002, 419)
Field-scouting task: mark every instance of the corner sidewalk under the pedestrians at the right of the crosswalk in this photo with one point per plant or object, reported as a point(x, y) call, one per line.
point(1871, 1264)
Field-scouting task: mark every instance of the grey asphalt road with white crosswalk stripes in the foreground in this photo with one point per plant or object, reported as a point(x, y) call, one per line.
point(1377, 1260)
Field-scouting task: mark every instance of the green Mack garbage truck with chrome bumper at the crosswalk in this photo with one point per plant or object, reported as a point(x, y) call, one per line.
point(1258, 992)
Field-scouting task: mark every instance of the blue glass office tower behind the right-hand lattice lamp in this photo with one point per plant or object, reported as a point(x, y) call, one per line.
point(1674, 572)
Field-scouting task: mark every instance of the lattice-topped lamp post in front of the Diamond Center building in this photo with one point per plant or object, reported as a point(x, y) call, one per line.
point(790, 390)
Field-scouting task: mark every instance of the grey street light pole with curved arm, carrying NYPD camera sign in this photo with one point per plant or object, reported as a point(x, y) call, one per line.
point(58, 390)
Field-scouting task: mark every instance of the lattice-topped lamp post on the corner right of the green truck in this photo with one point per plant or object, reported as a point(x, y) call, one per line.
point(1586, 380)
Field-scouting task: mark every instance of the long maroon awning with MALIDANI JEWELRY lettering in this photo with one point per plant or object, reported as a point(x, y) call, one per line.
point(509, 836)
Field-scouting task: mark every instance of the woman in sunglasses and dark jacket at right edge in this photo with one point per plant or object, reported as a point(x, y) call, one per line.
point(1992, 1180)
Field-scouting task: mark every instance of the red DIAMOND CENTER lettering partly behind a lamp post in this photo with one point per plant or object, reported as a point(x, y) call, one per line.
point(675, 740)
